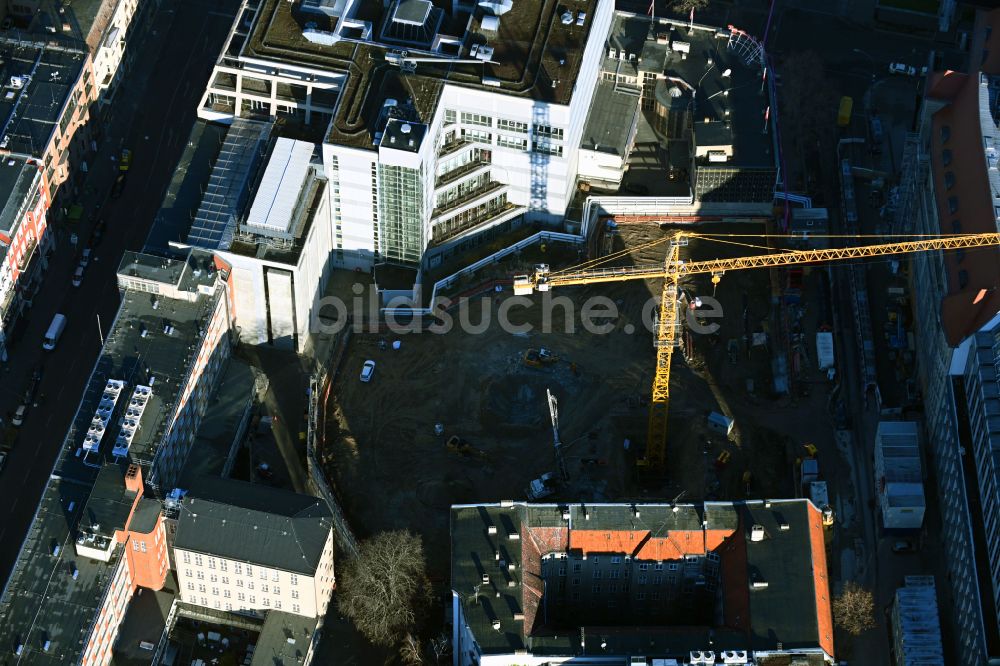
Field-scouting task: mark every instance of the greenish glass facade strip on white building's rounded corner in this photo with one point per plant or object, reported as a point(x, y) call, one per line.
point(401, 213)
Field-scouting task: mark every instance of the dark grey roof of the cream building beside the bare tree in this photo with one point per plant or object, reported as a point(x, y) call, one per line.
point(253, 523)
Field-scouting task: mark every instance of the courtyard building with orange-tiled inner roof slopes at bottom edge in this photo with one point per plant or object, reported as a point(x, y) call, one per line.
point(635, 584)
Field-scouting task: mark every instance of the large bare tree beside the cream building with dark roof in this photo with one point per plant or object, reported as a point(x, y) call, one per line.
point(385, 587)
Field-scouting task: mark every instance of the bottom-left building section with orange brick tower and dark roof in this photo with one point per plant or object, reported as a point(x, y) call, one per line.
point(92, 545)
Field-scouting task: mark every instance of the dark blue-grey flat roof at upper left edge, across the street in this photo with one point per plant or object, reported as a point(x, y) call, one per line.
point(30, 109)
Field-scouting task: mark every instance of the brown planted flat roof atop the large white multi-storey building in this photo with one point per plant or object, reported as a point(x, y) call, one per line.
point(535, 55)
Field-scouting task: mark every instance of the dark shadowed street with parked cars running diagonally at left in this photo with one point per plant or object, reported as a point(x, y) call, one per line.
point(152, 115)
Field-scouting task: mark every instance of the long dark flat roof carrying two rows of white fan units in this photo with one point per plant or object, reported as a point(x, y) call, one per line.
point(42, 601)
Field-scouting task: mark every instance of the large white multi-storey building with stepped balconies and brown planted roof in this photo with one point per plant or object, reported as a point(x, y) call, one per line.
point(448, 124)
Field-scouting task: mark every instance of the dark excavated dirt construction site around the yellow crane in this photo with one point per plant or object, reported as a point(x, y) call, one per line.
point(466, 416)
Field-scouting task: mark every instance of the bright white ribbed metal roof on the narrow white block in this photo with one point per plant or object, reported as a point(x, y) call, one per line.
point(280, 188)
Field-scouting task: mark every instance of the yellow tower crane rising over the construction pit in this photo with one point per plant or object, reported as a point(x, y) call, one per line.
point(673, 269)
